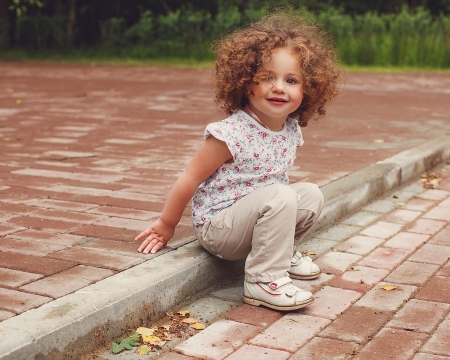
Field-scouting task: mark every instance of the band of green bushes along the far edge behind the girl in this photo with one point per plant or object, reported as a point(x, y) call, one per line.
point(409, 38)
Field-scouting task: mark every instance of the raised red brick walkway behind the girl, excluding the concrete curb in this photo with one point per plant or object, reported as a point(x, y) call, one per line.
point(89, 153)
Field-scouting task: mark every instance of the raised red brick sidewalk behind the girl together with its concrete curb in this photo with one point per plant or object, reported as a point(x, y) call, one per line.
point(89, 153)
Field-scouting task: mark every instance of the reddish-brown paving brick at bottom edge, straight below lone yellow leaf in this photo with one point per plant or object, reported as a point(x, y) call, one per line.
point(392, 344)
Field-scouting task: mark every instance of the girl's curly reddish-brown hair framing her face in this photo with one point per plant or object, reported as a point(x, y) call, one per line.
point(240, 55)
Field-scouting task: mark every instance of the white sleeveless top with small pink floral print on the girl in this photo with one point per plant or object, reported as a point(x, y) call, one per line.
point(261, 157)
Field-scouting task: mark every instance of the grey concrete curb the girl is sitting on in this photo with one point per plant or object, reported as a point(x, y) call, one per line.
point(80, 322)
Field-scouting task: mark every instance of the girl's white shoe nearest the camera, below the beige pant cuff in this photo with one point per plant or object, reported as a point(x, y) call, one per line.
point(278, 295)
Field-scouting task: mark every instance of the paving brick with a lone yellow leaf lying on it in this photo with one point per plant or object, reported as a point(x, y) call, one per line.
point(384, 300)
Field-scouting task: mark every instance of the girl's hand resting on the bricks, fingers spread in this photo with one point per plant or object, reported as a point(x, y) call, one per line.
point(157, 236)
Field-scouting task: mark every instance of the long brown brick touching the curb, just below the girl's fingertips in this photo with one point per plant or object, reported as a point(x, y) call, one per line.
point(97, 258)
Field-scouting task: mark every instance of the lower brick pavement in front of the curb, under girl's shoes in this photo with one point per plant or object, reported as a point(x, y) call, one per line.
point(353, 317)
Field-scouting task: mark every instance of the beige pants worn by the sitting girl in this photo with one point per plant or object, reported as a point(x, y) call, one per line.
point(262, 227)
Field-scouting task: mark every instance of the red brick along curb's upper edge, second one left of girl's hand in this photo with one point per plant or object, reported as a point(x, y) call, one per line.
point(67, 281)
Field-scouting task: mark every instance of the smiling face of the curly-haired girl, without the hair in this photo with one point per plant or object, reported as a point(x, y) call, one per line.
point(281, 93)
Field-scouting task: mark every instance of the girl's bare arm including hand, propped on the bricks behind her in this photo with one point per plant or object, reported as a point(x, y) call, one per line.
point(211, 154)
